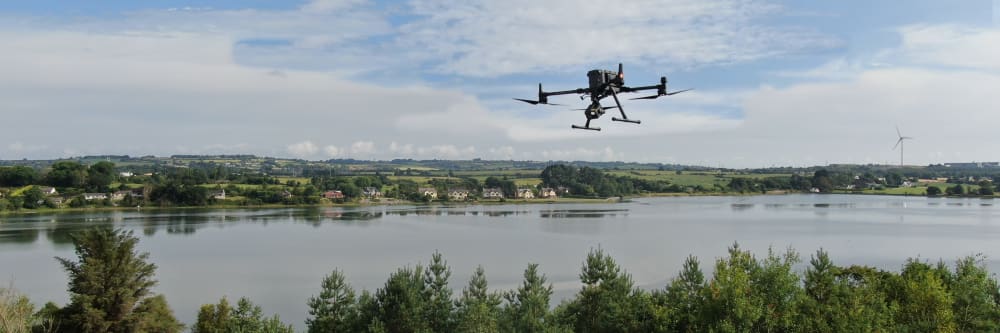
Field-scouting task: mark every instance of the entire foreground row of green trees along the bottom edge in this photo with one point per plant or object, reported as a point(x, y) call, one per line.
point(110, 292)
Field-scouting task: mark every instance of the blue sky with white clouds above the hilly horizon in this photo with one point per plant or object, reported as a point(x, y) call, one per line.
point(776, 83)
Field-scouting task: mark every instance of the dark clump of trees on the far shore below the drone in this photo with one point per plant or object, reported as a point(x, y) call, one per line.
point(587, 181)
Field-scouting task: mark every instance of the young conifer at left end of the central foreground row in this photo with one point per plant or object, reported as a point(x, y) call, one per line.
point(335, 306)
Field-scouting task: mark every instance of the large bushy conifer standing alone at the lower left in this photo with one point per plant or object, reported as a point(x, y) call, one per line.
point(108, 282)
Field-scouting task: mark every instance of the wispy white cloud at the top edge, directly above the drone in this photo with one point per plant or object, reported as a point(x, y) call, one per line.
point(489, 38)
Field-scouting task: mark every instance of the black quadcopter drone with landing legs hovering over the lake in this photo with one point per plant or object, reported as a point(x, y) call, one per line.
point(604, 83)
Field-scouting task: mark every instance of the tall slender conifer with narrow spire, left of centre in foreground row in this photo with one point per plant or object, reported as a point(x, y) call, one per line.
point(437, 295)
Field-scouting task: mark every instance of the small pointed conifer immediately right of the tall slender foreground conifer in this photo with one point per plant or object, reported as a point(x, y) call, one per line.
point(478, 309)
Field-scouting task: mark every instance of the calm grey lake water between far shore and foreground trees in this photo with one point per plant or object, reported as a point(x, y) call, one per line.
point(277, 257)
